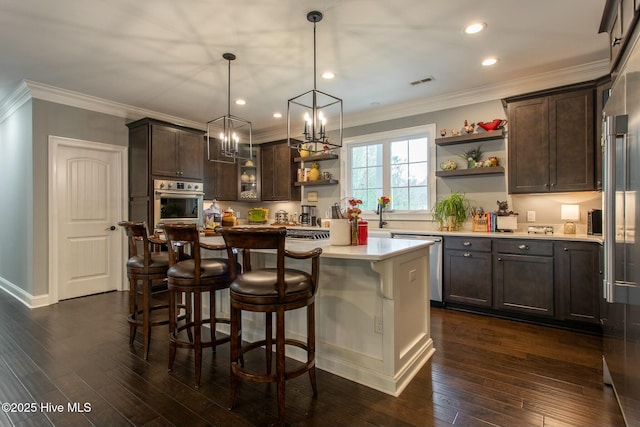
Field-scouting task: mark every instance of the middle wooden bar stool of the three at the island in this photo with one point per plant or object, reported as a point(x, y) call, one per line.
point(188, 280)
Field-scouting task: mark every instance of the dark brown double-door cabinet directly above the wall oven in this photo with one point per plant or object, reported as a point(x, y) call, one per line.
point(173, 151)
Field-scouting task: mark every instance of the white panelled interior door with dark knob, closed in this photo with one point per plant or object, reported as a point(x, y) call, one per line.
point(86, 203)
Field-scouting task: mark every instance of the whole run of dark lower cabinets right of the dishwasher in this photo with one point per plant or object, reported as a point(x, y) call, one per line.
point(556, 282)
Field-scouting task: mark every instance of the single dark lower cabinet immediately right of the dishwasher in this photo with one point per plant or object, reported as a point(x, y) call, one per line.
point(467, 271)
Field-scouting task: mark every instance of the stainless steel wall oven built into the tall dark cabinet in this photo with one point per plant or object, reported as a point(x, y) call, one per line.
point(177, 202)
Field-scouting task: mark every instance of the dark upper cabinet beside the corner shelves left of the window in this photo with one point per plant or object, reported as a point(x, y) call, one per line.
point(278, 172)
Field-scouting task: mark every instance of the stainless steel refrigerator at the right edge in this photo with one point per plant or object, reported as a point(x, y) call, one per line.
point(621, 284)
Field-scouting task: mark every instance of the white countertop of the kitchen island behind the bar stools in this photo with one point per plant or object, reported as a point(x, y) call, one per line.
point(377, 249)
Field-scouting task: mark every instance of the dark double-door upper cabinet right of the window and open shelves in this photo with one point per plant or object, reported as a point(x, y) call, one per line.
point(551, 140)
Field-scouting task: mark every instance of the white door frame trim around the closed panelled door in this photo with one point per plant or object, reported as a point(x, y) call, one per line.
point(120, 174)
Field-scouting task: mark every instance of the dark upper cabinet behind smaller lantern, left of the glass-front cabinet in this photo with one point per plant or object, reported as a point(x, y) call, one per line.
point(220, 179)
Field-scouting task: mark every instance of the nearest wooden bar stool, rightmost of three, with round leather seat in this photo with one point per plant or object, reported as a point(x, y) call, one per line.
point(269, 291)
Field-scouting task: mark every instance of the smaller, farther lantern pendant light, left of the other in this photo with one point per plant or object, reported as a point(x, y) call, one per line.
point(229, 137)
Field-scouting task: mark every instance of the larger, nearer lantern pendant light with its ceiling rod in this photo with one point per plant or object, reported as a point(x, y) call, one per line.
point(314, 119)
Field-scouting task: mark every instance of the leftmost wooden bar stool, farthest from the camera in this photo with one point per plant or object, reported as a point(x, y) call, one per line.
point(146, 267)
